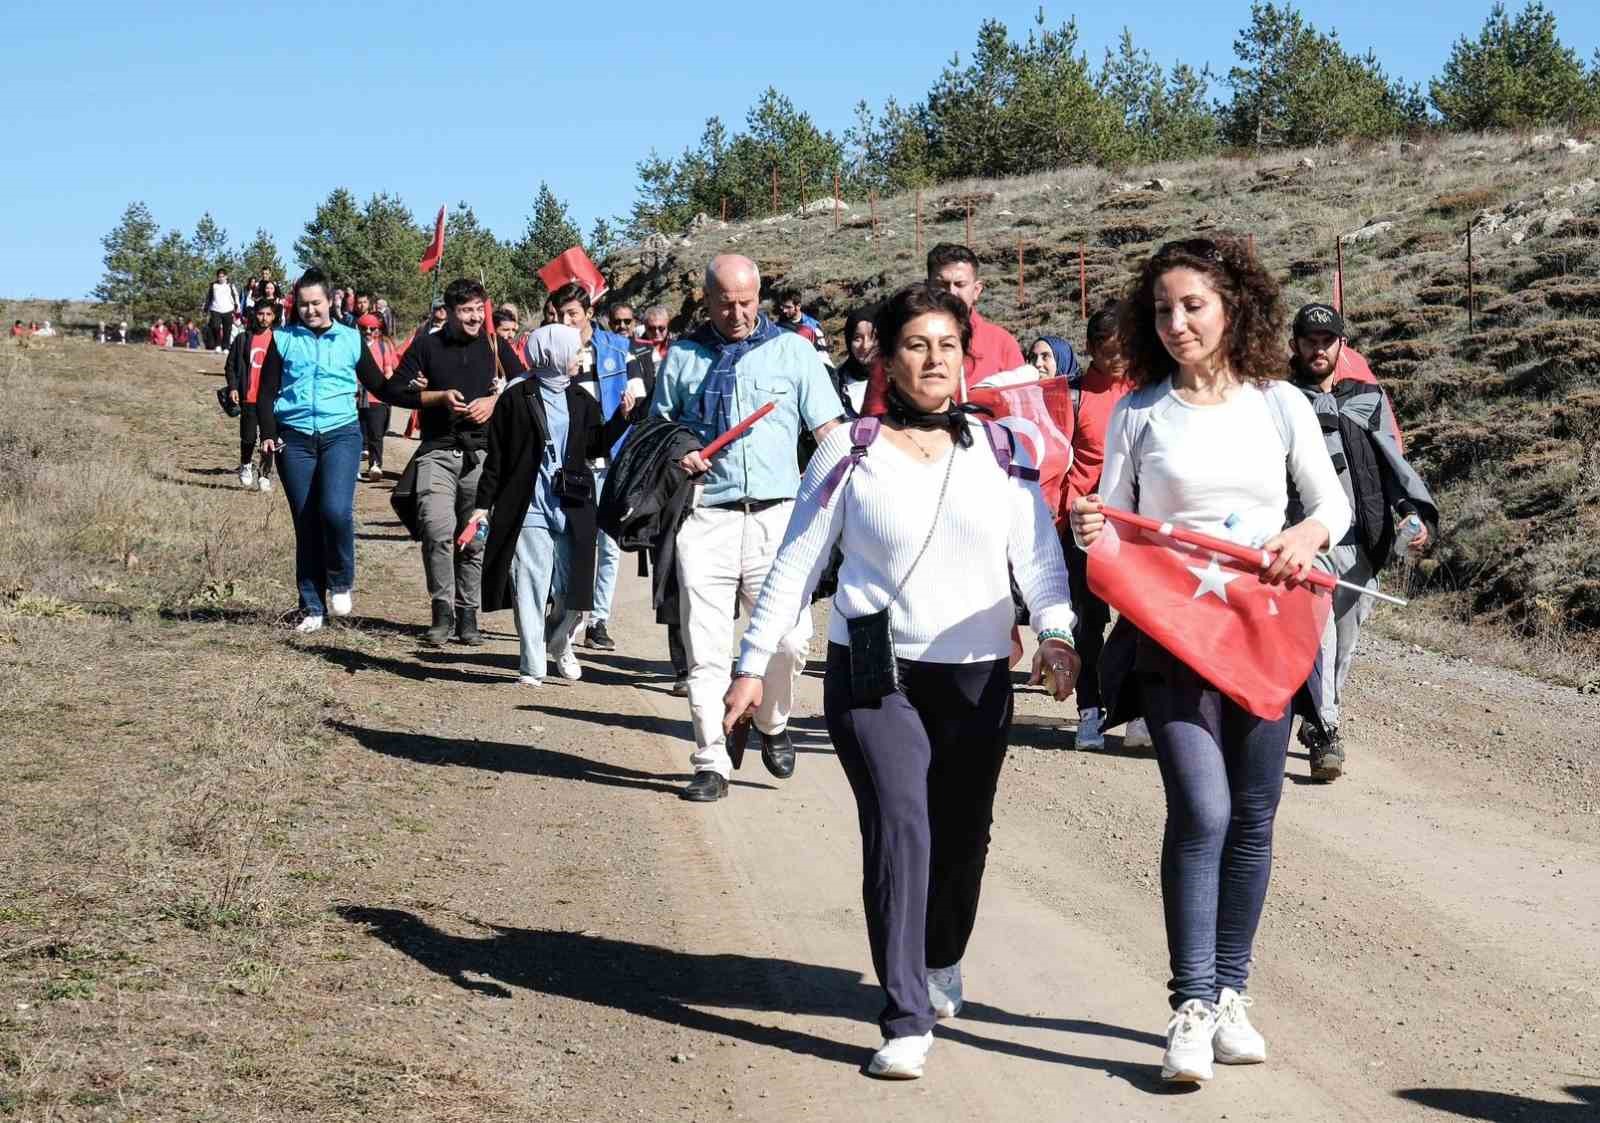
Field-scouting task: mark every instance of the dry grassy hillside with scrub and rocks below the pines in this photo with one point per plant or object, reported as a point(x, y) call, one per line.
point(1505, 422)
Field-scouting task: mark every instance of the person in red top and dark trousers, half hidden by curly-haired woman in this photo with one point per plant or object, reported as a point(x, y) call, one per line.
point(1102, 388)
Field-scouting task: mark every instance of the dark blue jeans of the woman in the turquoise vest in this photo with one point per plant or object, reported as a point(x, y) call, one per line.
point(319, 481)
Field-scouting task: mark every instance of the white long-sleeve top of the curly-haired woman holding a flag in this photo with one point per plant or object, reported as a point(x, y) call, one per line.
point(1220, 470)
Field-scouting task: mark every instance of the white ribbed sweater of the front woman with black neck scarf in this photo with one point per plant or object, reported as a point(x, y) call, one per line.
point(958, 604)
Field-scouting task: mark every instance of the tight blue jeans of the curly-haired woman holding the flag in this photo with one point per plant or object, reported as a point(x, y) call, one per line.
point(1223, 772)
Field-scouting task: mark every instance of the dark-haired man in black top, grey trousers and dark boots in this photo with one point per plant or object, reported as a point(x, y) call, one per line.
point(470, 364)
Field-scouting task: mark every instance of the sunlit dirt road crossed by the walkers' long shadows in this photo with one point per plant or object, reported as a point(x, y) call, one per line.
point(1431, 948)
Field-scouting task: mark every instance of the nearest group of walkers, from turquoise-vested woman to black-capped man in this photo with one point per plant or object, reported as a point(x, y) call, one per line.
point(926, 521)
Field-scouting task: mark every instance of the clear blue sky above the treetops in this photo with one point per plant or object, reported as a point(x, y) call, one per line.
point(257, 113)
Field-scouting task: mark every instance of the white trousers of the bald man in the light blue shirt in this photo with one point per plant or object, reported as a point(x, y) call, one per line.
point(724, 558)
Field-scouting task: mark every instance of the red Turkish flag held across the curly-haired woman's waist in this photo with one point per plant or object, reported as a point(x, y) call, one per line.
point(1254, 642)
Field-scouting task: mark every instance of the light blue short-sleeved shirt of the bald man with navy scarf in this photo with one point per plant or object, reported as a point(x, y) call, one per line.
point(762, 465)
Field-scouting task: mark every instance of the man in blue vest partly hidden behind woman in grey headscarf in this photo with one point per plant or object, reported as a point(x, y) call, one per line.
point(618, 377)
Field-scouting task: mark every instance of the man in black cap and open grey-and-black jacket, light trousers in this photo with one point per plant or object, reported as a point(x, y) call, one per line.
point(1364, 442)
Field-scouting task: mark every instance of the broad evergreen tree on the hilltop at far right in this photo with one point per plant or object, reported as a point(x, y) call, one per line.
point(1518, 73)
